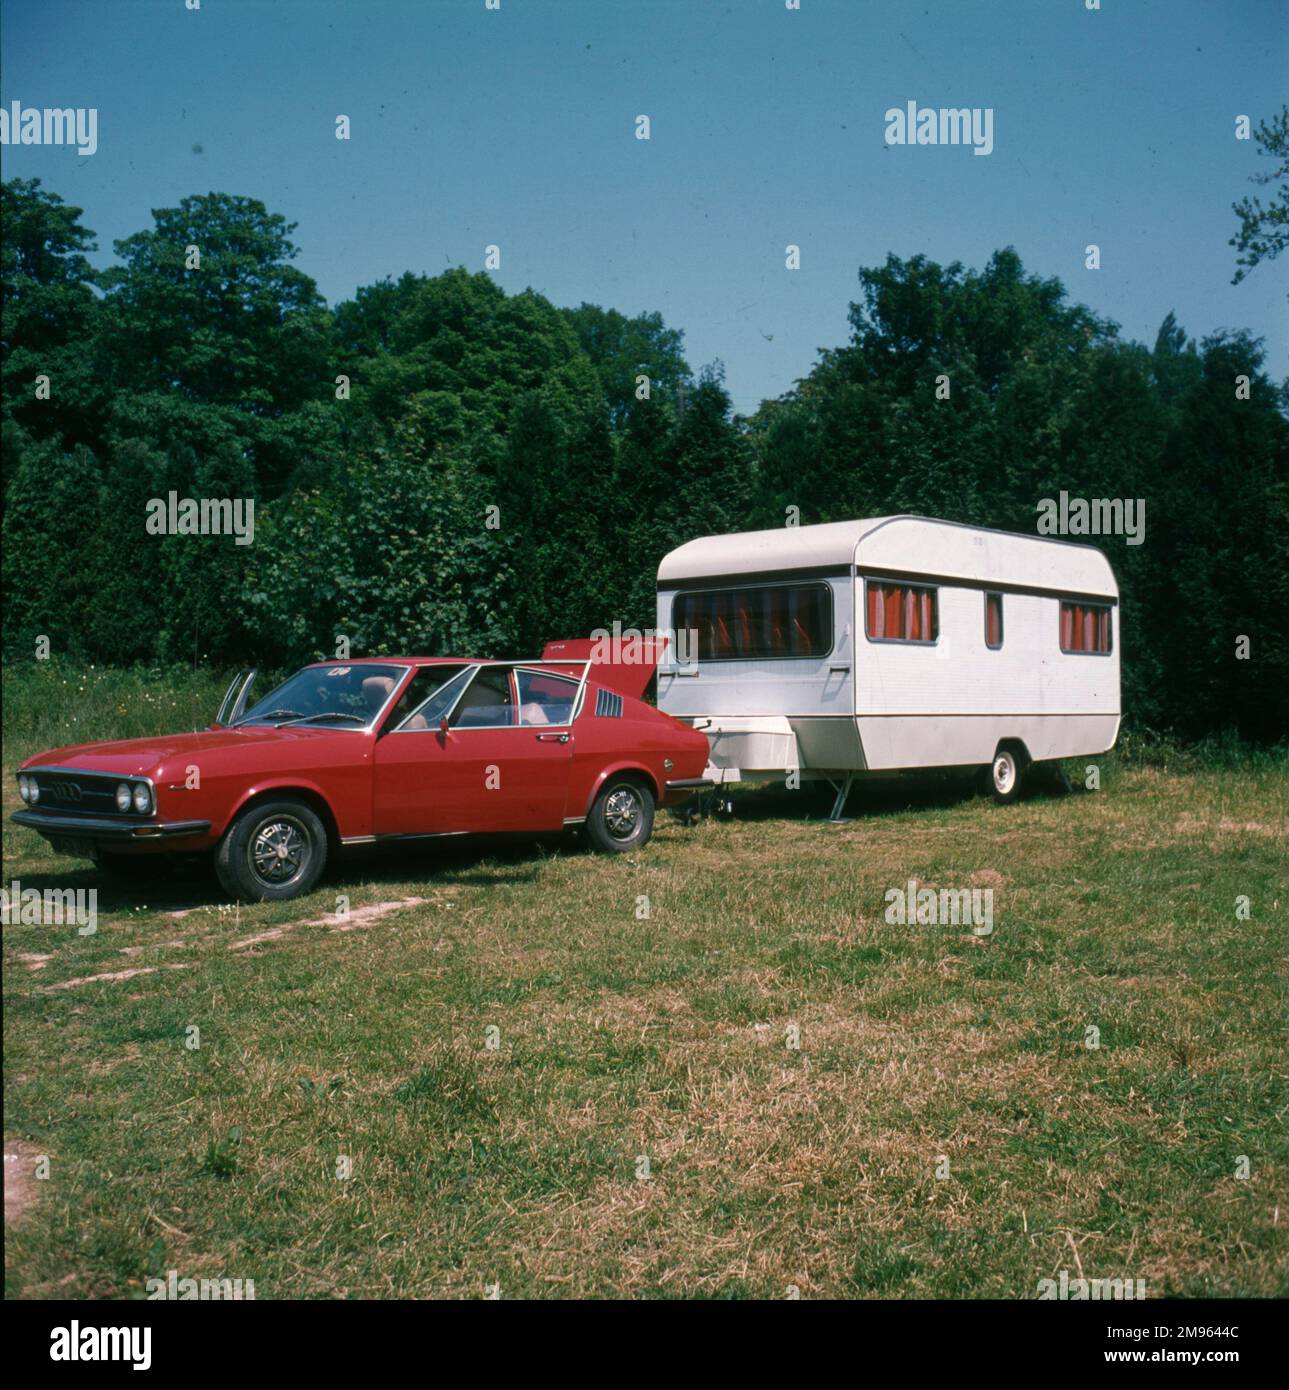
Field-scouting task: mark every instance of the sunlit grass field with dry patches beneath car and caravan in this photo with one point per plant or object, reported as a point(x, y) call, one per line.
point(638, 1125)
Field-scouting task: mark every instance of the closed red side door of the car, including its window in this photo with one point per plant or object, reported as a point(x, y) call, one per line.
point(503, 764)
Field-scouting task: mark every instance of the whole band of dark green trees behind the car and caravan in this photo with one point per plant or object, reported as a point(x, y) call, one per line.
point(496, 477)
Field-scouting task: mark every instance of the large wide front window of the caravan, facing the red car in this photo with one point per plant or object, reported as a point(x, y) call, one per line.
point(763, 623)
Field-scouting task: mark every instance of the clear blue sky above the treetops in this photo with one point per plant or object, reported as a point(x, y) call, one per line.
point(517, 127)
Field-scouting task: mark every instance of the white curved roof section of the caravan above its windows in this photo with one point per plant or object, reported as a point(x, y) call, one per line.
point(898, 546)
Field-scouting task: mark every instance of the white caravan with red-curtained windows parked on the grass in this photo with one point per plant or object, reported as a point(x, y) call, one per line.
point(893, 643)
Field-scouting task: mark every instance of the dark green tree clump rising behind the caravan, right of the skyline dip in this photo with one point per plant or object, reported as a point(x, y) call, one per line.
point(1045, 397)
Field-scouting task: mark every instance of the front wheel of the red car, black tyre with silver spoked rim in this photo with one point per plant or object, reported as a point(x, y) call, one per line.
point(272, 853)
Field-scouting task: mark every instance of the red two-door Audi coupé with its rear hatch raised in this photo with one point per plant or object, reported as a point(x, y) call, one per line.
point(383, 749)
